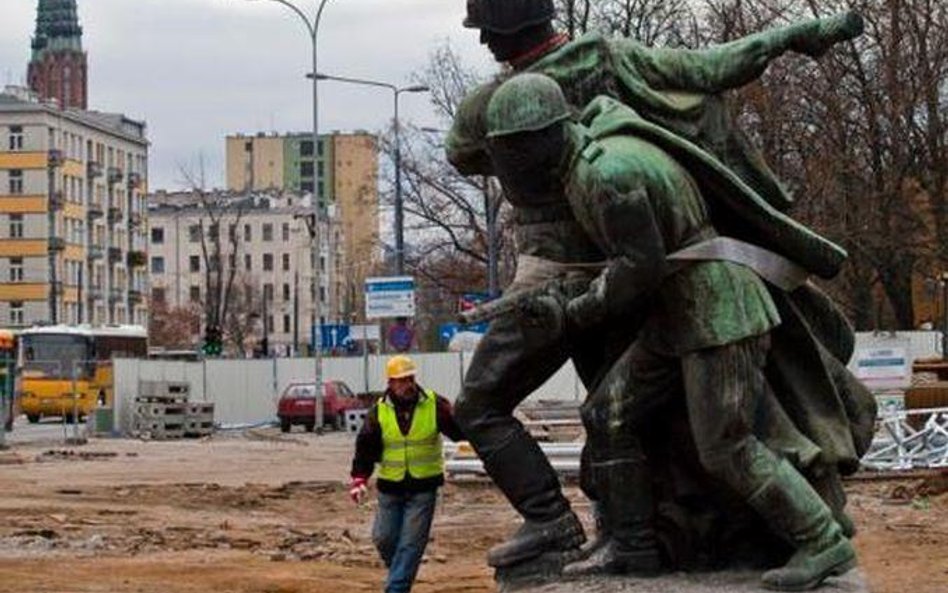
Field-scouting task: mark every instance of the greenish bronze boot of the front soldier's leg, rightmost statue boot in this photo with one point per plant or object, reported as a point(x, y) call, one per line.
point(795, 511)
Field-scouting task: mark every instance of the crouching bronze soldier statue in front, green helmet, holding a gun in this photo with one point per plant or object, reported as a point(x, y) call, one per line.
point(711, 317)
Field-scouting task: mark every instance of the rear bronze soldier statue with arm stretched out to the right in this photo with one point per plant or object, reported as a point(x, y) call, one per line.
point(678, 90)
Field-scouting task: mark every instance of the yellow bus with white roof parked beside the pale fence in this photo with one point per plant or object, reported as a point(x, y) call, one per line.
point(67, 370)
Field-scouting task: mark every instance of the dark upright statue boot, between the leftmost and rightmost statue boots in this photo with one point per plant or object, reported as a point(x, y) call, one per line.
point(629, 544)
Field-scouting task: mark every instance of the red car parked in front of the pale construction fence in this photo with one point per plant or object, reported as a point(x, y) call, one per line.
point(297, 404)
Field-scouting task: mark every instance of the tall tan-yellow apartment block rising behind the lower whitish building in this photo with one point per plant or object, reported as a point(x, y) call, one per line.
point(346, 165)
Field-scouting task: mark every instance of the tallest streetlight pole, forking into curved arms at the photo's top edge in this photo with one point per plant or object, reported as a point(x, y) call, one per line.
point(312, 27)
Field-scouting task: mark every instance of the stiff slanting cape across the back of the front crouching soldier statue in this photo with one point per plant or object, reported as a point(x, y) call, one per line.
point(736, 209)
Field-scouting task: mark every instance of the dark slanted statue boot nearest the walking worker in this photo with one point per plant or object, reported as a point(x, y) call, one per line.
point(523, 473)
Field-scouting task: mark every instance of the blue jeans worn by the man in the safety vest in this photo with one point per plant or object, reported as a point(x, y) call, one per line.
point(401, 533)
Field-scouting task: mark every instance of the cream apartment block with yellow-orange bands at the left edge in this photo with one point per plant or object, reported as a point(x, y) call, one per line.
point(72, 214)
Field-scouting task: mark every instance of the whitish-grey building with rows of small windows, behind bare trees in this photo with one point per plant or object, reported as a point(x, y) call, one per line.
point(265, 238)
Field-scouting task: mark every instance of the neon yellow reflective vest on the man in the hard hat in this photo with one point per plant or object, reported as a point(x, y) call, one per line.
point(419, 452)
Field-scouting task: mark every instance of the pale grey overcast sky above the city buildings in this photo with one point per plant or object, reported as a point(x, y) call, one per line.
point(197, 70)
